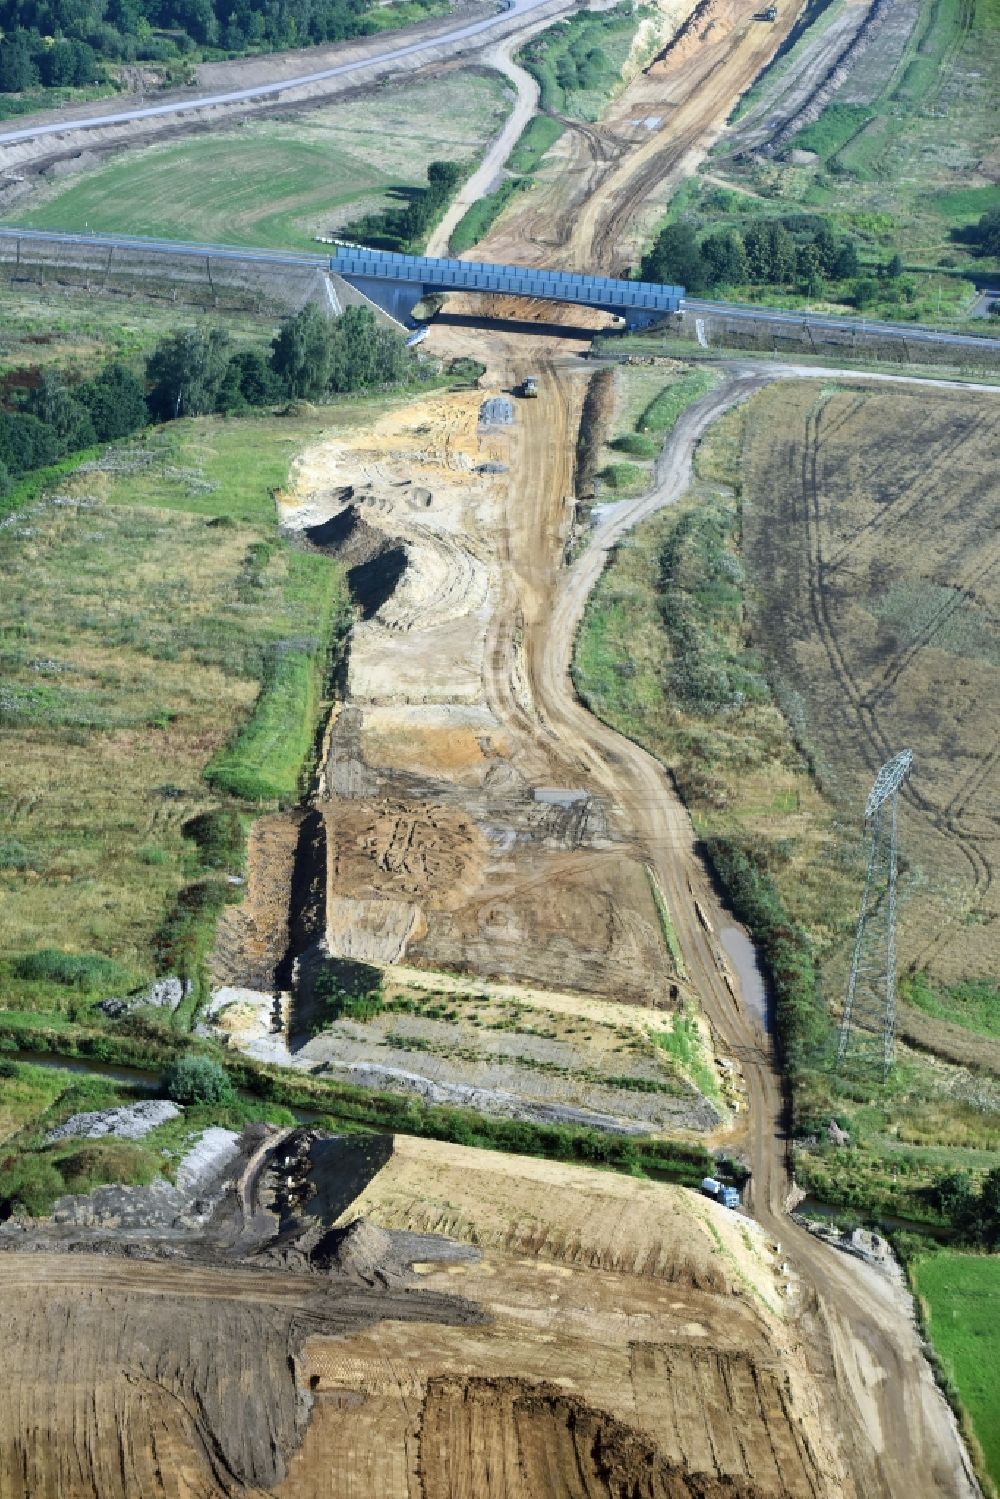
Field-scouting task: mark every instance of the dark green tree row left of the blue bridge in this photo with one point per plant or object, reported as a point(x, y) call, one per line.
point(196, 373)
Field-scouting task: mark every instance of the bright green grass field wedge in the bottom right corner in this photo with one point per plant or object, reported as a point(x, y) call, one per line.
point(962, 1300)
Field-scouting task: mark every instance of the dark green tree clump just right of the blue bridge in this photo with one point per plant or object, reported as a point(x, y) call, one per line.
point(795, 251)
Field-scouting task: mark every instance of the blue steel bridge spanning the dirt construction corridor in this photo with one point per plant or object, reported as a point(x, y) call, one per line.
point(398, 283)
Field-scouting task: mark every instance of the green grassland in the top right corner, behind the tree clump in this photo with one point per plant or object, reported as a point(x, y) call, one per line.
point(900, 166)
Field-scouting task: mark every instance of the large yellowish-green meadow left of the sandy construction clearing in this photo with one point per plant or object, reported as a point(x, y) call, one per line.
point(151, 606)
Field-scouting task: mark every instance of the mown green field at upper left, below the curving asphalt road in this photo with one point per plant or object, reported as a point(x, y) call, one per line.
point(280, 182)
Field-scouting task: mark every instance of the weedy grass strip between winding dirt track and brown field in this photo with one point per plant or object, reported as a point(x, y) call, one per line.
point(663, 657)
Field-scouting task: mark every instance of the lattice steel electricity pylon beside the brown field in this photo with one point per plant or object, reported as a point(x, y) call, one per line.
point(870, 1011)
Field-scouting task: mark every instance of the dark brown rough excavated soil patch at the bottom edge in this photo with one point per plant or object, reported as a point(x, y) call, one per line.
point(512, 1440)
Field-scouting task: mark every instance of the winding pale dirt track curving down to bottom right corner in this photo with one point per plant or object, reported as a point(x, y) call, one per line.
point(894, 1420)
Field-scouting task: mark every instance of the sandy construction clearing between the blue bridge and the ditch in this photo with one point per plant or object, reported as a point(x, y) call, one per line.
point(440, 840)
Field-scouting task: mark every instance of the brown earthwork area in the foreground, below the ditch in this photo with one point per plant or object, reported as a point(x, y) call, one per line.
point(391, 1318)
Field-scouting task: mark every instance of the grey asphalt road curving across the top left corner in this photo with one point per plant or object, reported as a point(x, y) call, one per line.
point(62, 125)
